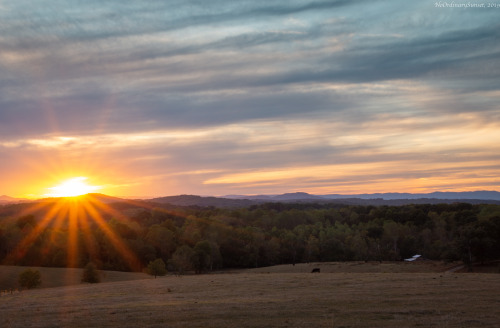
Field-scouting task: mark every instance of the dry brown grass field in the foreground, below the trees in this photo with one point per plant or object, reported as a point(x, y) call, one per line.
point(252, 299)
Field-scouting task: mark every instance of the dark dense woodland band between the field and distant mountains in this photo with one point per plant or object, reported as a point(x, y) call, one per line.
point(127, 236)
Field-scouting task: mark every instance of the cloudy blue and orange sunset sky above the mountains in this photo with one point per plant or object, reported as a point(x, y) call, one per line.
point(155, 98)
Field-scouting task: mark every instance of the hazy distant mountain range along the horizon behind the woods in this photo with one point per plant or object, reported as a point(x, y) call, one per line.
point(474, 197)
